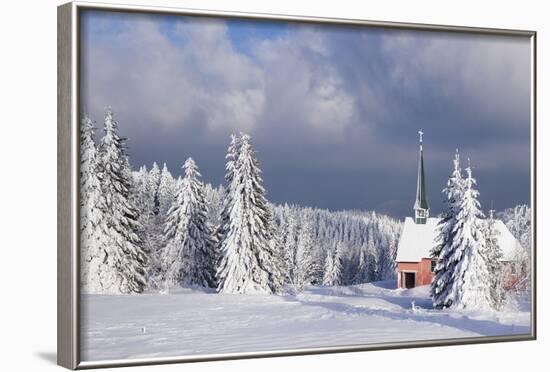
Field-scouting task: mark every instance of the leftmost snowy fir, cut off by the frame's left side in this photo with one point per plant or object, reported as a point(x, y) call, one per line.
point(95, 273)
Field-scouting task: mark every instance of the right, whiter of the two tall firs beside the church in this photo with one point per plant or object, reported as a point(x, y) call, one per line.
point(470, 285)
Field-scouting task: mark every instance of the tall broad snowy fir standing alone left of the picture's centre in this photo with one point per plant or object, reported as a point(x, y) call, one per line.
point(247, 257)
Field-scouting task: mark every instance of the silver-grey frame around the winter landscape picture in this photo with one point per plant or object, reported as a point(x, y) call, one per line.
point(68, 296)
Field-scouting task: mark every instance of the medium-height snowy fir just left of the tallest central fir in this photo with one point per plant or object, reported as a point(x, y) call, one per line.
point(189, 256)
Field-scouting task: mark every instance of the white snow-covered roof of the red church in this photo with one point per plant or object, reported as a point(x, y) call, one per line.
point(418, 239)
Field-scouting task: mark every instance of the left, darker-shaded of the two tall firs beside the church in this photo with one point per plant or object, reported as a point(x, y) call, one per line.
point(443, 250)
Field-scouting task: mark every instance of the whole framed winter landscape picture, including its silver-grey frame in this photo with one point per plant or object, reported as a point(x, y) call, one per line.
point(235, 185)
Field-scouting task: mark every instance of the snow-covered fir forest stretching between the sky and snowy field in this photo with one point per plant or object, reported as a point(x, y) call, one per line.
point(149, 230)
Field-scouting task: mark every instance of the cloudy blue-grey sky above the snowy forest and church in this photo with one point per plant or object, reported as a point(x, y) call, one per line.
point(333, 111)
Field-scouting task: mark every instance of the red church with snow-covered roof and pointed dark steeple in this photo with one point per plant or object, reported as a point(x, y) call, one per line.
point(414, 265)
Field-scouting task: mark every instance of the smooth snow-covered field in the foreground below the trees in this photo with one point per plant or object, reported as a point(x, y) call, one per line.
point(194, 322)
